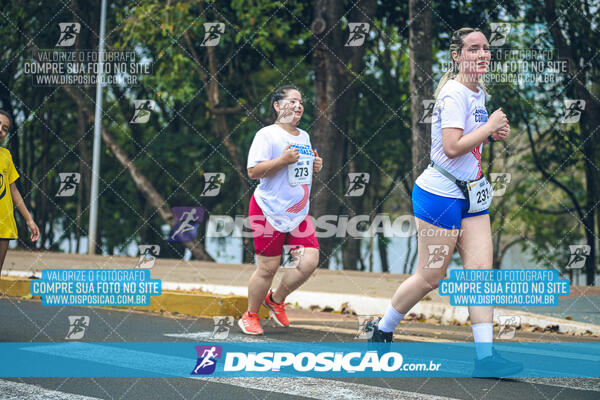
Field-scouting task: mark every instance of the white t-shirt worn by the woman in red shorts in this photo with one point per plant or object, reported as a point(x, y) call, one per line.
point(285, 206)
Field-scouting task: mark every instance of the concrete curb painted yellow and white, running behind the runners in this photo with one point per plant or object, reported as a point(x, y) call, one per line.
point(221, 300)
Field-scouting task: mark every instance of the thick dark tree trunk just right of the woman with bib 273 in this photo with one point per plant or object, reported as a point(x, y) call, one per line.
point(336, 69)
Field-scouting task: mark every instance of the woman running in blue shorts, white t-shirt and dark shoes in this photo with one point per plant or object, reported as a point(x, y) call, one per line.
point(449, 215)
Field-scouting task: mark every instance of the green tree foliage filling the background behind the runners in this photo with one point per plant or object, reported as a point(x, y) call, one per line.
point(205, 122)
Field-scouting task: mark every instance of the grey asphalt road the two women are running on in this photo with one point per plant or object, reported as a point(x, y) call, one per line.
point(28, 320)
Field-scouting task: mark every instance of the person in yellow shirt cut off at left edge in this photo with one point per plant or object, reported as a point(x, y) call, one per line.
point(9, 195)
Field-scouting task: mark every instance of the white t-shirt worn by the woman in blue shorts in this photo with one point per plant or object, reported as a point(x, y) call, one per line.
point(456, 107)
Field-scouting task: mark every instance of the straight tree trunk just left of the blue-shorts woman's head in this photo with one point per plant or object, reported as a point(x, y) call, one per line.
point(421, 83)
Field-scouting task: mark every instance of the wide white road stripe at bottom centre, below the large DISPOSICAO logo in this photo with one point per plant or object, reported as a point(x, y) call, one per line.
point(325, 389)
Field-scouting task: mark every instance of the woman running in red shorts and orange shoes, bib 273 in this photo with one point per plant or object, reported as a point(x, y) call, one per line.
point(282, 157)
